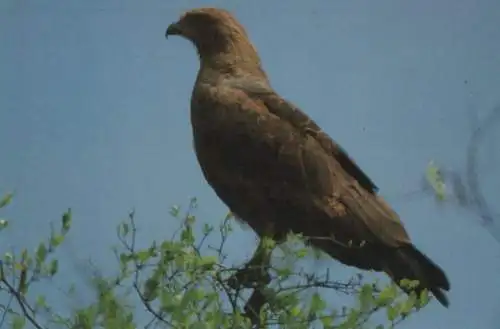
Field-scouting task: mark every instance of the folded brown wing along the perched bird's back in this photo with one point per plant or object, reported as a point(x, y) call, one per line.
point(365, 216)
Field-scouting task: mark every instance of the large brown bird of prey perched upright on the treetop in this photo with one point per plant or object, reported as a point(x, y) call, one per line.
point(277, 170)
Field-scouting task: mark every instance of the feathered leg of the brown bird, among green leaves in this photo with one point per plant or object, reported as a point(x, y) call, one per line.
point(255, 271)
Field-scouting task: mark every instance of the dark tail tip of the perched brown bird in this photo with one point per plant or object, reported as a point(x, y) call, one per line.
point(409, 263)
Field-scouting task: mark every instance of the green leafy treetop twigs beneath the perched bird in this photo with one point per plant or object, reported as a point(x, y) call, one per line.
point(184, 282)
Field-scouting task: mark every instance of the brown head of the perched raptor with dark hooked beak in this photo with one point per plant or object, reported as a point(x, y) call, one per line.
point(215, 33)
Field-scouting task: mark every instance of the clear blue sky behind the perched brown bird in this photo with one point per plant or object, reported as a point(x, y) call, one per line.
point(94, 107)
